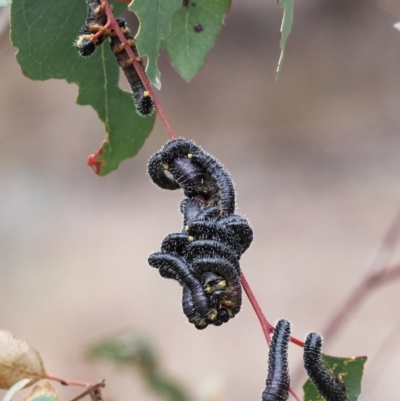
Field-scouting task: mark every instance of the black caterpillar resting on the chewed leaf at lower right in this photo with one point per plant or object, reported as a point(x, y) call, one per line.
point(329, 386)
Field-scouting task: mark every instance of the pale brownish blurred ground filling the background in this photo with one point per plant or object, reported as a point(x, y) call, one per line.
point(316, 162)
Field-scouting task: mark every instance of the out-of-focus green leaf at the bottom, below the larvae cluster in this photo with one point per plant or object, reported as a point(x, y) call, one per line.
point(135, 351)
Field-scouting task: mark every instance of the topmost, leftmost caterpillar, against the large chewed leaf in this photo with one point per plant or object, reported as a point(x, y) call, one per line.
point(92, 33)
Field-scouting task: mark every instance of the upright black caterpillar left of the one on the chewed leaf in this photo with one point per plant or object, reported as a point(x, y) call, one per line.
point(278, 380)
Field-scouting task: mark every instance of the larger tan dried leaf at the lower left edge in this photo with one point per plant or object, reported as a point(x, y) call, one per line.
point(18, 360)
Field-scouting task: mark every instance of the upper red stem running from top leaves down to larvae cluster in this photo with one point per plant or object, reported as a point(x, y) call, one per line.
point(112, 24)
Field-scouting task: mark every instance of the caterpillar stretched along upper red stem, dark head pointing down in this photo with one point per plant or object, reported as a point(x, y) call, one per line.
point(143, 102)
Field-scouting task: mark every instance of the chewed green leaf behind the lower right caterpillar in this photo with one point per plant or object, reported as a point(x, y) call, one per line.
point(350, 370)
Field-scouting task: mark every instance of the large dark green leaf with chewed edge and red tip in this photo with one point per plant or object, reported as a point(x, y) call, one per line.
point(44, 32)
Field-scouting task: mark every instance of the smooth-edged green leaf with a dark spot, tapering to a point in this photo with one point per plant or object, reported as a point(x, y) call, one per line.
point(194, 30)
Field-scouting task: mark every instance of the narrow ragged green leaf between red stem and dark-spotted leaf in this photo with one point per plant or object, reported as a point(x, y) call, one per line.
point(155, 24)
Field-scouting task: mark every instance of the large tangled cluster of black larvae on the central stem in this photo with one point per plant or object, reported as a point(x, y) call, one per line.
point(204, 256)
